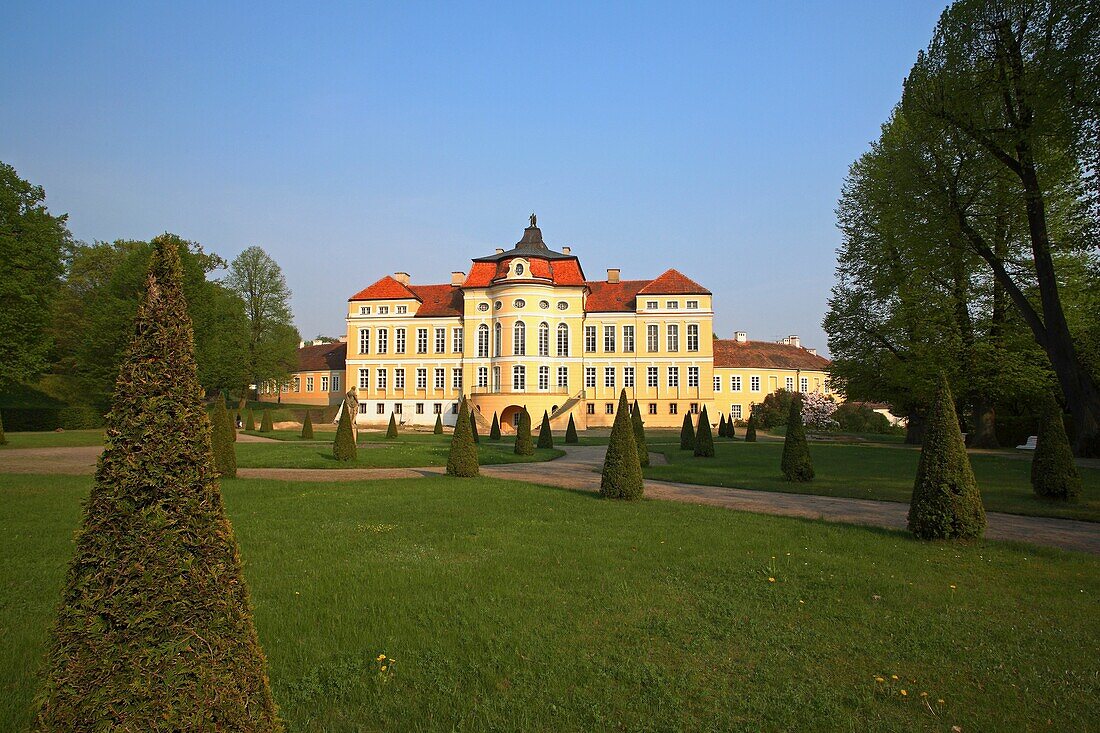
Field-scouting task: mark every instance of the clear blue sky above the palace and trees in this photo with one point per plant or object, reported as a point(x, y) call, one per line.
point(356, 140)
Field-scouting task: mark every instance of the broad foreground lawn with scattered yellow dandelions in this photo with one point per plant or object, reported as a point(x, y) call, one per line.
point(512, 607)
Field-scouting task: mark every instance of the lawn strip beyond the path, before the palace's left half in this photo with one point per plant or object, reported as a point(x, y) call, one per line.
point(410, 451)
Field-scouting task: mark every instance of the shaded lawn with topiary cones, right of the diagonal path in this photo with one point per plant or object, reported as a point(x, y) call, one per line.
point(870, 472)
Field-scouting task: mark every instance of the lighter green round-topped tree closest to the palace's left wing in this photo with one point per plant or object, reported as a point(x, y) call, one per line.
point(273, 341)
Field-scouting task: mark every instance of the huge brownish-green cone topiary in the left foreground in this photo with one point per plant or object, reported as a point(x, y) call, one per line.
point(155, 630)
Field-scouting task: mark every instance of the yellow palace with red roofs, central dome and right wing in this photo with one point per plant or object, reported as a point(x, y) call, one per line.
point(526, 329)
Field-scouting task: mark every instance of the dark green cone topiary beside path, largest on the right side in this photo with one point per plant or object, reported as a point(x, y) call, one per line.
point(947, 504)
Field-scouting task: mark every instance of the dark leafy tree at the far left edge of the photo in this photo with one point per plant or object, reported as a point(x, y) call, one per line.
point(32, 246)
